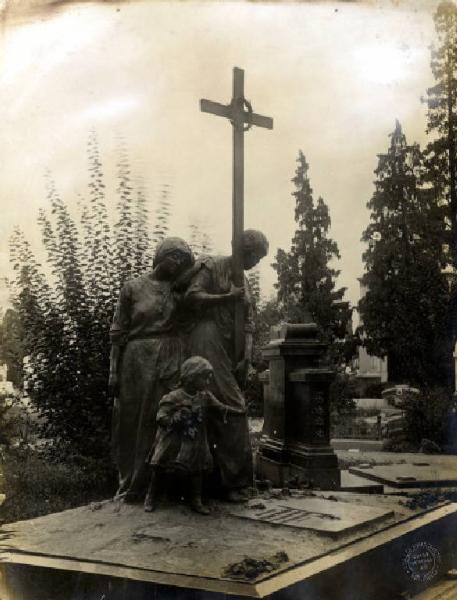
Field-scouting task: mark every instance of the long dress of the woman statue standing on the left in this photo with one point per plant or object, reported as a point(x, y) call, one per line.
point(145, 327)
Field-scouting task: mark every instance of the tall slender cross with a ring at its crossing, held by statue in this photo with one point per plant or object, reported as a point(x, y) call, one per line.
point(240, 114)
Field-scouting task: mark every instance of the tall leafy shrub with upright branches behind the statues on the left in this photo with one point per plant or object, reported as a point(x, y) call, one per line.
point(66, 318)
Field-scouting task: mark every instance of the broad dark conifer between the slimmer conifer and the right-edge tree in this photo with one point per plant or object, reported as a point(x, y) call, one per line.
point(404, 309)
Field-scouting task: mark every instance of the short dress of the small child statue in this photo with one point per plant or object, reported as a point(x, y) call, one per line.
point(181, 441)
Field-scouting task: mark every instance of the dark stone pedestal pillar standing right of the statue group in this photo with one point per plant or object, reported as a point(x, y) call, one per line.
point(295, 442)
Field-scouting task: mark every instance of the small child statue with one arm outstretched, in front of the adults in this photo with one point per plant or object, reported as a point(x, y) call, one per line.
point(181, 442)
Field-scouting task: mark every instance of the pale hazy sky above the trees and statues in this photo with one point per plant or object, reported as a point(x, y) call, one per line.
point(334, 76)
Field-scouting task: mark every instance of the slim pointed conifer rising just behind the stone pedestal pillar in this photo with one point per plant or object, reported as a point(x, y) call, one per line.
point(306, 280)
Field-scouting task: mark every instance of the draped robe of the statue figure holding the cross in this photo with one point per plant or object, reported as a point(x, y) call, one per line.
point(212, 338)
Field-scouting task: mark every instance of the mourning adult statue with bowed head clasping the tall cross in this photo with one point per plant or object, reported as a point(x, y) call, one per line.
point(211, 294)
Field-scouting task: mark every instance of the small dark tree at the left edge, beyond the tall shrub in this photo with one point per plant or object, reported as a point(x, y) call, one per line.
point(11, 346)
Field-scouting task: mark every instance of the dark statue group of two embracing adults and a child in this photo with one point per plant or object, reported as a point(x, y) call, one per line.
point(178, 407)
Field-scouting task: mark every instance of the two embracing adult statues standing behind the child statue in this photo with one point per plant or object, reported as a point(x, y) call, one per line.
point(149, 346)
